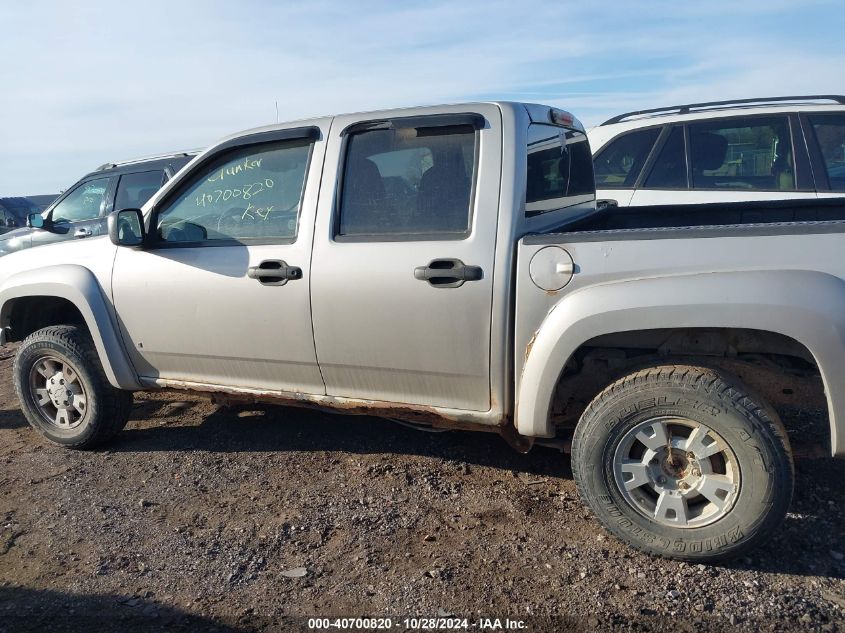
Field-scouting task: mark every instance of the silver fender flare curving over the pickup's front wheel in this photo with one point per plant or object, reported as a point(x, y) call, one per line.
point(79, 286)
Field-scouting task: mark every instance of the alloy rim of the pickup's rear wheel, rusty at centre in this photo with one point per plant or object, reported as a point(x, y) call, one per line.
point(677, 472)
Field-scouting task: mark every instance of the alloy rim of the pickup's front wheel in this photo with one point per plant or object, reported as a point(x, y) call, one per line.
point(58, 392)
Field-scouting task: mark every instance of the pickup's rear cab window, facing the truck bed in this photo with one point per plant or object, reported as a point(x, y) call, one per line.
point(559, 169)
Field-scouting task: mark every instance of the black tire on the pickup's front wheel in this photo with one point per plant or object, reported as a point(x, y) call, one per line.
point(104, 409)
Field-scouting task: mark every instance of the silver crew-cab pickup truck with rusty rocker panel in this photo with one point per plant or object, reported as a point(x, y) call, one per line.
point(446, 266)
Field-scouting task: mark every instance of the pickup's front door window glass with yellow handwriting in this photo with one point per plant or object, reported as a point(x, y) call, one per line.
point(250, 193)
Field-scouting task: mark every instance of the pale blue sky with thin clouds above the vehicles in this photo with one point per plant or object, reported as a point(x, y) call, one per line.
point(84, 83)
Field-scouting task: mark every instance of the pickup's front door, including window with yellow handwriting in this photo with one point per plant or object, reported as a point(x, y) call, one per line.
point(221, 294)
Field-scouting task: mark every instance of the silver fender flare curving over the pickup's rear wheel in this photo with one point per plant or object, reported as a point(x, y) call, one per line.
point(806, 306)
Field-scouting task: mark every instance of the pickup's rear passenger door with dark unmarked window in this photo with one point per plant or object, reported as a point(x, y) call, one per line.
point(402, 278)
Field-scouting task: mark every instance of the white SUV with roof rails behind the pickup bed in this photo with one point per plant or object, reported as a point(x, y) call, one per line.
point(771, 148)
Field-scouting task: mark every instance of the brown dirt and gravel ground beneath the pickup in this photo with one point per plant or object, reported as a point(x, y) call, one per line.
point(206, 518)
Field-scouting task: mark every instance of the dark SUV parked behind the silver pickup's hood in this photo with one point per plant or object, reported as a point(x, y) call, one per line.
point(81, 211)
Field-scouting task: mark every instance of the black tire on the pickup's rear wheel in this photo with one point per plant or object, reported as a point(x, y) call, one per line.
point(756, 442)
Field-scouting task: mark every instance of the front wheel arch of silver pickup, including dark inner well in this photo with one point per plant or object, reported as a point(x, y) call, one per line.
point(67, 293)
